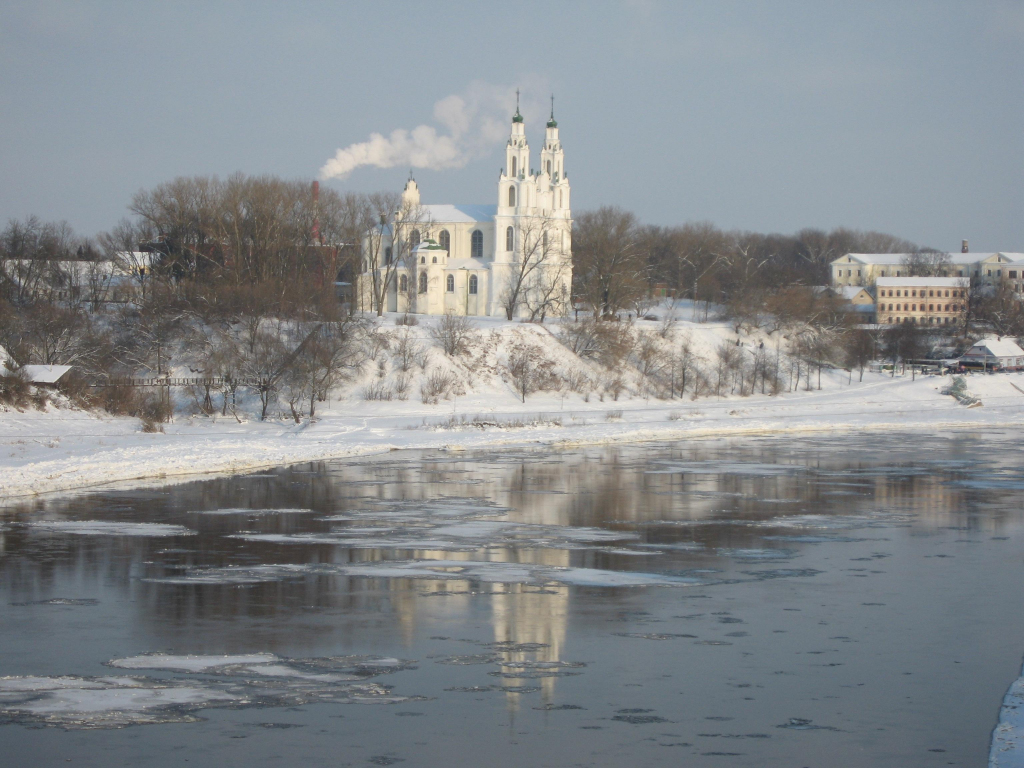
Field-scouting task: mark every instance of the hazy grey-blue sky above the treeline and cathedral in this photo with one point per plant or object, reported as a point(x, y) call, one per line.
point(905, 117)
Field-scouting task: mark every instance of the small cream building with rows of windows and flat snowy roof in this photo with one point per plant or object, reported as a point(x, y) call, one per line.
point(927, 302)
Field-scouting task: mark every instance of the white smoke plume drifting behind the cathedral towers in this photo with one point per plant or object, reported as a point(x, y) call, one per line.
point(472, 123)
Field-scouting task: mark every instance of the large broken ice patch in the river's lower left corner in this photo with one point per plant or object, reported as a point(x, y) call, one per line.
point(221, 681)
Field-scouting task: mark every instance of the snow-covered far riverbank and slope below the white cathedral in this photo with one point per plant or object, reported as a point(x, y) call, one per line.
point(64, 449)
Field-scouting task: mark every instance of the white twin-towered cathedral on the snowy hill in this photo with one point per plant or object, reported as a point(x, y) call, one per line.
point(513, 260)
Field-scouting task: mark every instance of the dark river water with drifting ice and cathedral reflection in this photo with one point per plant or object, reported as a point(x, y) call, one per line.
point(808, 602)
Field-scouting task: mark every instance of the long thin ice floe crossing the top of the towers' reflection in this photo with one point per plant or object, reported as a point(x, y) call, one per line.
point(474, 571)
